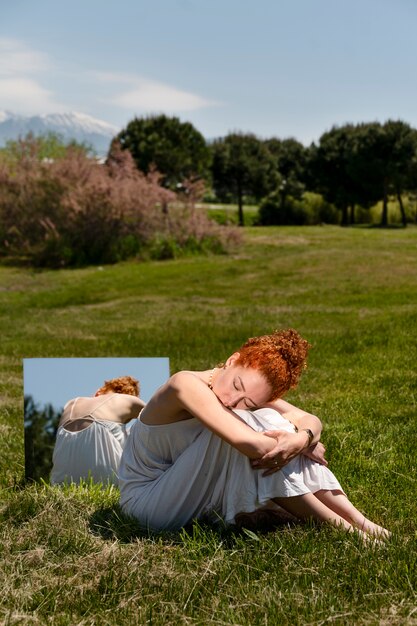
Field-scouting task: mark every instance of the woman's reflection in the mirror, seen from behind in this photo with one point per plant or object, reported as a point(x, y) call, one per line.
point(92, 433)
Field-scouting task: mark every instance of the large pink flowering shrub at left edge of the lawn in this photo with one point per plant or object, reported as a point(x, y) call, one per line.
point(72, 211)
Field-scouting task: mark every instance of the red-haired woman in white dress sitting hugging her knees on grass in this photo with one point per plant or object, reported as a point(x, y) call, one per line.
point(189, 456)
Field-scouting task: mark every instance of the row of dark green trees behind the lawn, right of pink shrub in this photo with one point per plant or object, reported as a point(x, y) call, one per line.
point(350, 167)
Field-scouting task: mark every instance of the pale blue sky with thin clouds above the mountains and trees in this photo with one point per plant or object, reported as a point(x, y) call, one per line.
point(273, 67)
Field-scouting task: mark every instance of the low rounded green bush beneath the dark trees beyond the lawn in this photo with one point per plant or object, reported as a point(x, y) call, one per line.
point(310, 209)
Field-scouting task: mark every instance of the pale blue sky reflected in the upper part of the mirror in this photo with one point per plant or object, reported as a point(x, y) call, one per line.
point(55, 381)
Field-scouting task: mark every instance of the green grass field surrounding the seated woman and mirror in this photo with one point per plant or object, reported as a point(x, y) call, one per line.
point(69, 557)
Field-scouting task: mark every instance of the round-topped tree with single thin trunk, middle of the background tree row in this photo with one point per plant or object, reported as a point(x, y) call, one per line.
point(242, 165)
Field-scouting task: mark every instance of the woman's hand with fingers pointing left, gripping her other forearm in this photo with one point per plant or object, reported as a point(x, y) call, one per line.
point(287, 447)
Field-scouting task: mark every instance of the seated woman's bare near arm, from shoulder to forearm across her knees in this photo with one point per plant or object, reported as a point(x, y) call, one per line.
point(186, 394)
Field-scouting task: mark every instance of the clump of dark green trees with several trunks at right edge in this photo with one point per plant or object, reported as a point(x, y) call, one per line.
point(365, 163)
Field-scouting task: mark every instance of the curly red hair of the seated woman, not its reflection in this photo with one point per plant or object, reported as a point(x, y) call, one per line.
point(280, 357)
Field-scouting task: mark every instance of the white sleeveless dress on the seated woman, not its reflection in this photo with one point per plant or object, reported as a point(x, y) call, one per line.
point(173, 473)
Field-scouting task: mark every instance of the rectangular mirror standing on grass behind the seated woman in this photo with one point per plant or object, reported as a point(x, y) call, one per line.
point(49, 386)
